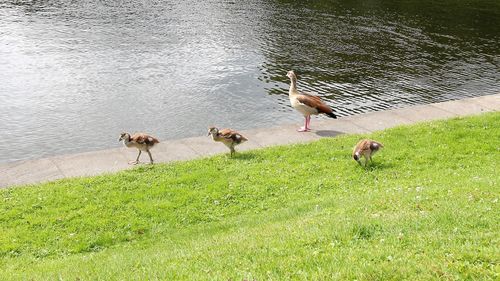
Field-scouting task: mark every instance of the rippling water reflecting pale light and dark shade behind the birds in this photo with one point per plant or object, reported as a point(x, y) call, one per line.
point(74, 74)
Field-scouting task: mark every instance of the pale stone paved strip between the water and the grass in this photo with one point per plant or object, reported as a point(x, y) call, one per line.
point(112, 160)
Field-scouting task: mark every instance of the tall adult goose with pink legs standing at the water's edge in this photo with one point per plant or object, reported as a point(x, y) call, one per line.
point(306, 104)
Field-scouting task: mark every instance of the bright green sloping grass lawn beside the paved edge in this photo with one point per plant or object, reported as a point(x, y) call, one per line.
point(427, 209)
